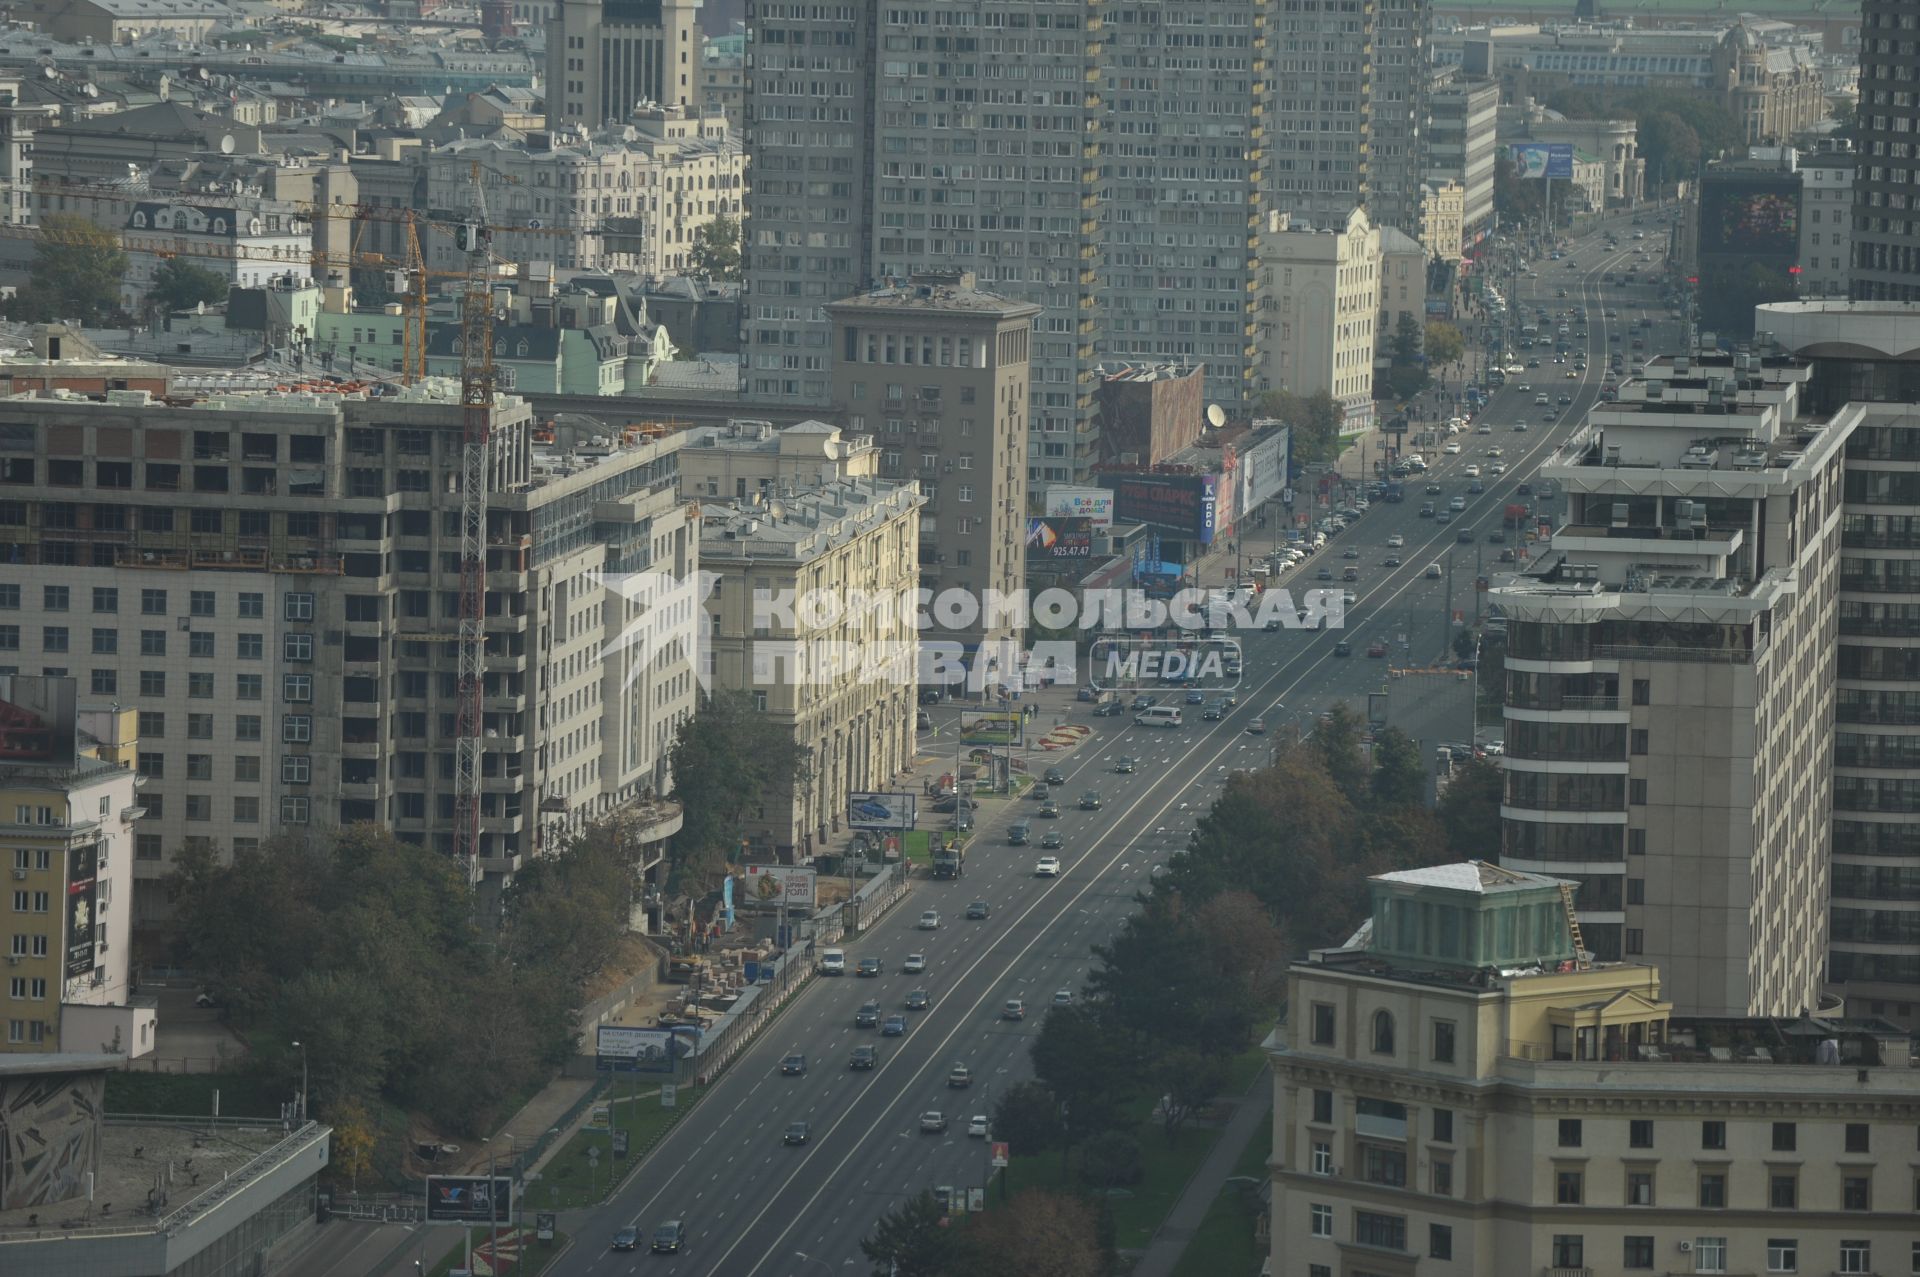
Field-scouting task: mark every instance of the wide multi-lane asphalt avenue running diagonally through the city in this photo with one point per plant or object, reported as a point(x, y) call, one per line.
point(757, 1207)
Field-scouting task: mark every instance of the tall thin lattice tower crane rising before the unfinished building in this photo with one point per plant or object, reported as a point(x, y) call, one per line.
point(477, 437)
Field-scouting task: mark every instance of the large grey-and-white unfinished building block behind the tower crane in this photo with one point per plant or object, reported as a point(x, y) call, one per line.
point(272, 583)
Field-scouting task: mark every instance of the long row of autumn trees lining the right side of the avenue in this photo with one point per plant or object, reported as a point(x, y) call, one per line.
point(1278, 867)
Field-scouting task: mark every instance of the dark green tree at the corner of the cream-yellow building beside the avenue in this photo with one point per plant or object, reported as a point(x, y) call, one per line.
point(729, 759)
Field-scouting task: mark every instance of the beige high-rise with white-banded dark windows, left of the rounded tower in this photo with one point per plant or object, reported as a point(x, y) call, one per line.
point(1671, 683)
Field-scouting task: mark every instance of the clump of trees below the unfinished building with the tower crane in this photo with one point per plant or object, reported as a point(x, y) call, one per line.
point(370, 953)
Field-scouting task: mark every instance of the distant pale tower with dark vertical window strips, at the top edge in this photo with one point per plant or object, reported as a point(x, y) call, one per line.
point(608, 57)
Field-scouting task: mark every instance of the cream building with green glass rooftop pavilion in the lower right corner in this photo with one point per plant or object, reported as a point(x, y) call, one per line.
point(1458, 1094)
